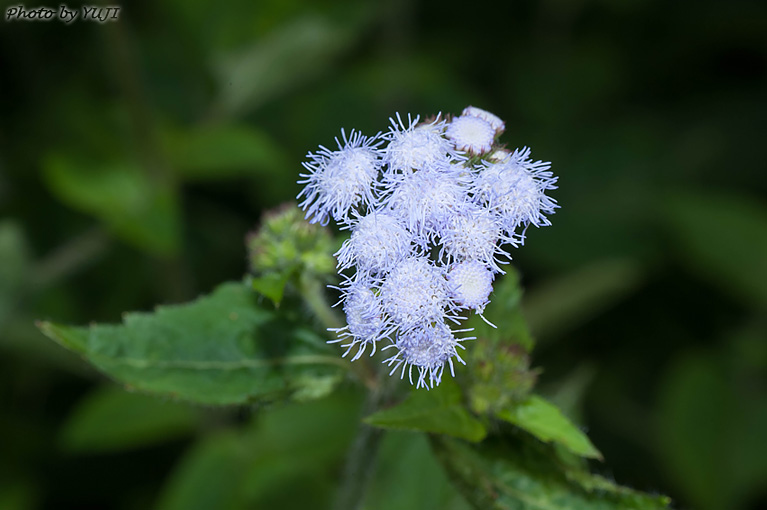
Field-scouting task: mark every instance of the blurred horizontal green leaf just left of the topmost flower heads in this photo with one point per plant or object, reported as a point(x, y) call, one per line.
point(223, 152)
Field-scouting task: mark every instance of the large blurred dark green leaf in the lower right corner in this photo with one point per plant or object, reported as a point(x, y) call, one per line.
point(699, 409)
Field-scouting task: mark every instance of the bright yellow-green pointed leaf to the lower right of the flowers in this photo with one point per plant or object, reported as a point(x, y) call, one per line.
point(543, 420)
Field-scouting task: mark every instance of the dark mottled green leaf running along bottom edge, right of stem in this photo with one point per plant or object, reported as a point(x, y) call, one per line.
point(518, 475)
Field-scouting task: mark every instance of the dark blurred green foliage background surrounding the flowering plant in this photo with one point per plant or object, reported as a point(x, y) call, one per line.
point(135, 156)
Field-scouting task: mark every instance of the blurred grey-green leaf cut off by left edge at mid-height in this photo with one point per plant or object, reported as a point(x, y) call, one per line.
point(13, 268)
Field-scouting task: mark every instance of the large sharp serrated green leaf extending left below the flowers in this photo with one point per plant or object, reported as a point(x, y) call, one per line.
point(221, 349)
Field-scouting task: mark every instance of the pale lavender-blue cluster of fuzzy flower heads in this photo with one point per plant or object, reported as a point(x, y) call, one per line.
point(433, 208)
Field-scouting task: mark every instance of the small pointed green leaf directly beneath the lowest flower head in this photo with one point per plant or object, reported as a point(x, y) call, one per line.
point(438, 410)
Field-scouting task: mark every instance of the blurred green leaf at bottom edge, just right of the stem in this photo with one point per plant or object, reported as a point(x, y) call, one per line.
point(408, 477)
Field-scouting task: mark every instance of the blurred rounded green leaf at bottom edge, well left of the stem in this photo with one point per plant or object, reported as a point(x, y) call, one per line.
point(209, 476)
